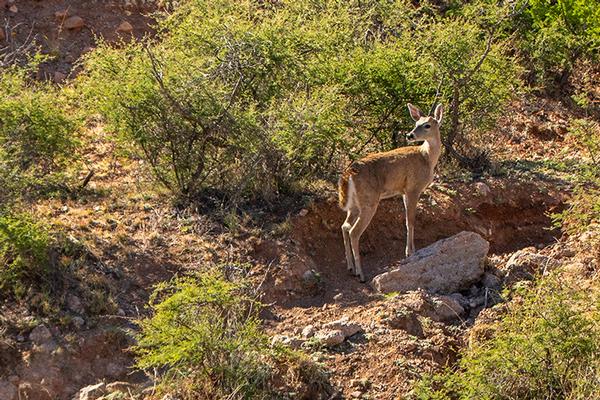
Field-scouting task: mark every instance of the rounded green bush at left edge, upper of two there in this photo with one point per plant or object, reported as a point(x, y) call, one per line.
point(37, 135)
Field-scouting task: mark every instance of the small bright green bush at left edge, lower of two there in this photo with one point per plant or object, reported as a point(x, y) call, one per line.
point(24, 254)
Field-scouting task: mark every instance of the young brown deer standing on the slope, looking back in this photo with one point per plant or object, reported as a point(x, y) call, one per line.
point(405, 170)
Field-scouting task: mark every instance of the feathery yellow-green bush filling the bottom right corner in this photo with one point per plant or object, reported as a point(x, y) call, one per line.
point(547, 346)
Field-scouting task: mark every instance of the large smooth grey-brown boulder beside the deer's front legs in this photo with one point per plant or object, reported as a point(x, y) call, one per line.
point(447, 266)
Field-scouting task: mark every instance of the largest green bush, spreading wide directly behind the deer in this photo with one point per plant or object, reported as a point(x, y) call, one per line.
point(250, 101)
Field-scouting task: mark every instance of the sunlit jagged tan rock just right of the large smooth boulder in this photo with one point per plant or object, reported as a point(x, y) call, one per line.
point(523, 264)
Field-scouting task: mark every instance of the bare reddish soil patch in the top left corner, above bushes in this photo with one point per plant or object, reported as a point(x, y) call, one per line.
point(39, 20)
